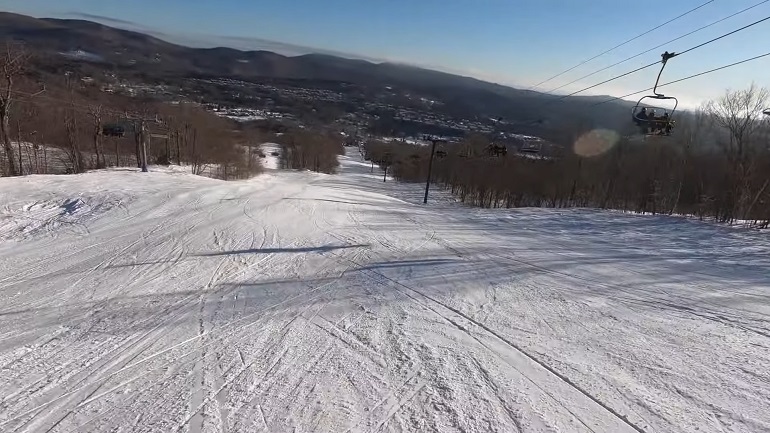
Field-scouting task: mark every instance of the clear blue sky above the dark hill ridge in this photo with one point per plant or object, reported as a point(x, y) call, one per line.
point(513, 42)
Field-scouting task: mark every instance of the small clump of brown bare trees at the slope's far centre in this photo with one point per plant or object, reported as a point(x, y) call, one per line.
point(304, 149)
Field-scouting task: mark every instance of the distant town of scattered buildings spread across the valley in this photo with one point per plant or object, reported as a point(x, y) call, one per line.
point(388, 114)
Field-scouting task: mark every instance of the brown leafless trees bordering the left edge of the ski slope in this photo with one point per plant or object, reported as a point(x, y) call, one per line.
point(52, 124)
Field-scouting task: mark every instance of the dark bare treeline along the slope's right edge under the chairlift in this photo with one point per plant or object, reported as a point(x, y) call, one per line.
point(715, 166)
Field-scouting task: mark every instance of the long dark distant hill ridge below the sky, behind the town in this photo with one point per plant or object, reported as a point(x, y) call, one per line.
point(132, 51)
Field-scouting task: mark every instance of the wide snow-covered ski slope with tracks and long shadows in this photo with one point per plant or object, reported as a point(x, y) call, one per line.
point(299, 302)
